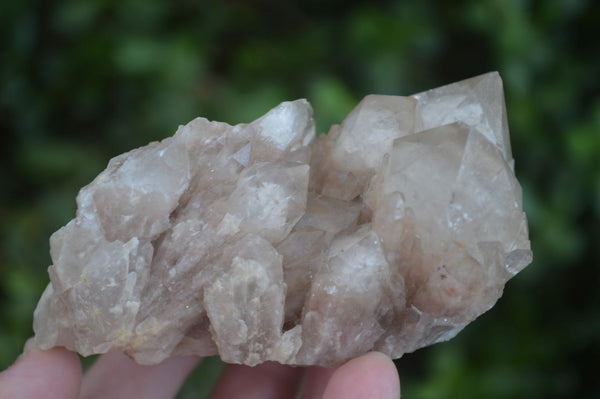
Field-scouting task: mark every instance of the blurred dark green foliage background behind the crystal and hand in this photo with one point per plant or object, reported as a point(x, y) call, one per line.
point(82, 81)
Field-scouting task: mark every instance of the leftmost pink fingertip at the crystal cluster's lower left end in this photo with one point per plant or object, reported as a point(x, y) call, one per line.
point(52, 374)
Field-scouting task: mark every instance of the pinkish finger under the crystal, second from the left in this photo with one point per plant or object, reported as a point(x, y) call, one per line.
point(116, 376)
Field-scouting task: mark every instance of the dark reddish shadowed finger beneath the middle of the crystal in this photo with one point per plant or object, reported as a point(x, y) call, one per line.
point(266, 381)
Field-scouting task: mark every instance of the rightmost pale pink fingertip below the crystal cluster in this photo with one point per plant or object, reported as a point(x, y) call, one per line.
point(373, 375)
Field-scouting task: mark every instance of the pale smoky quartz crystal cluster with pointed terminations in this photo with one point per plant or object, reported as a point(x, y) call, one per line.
point(261, 242)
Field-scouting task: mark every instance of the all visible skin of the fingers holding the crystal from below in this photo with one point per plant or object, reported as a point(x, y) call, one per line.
point(56, 373)
